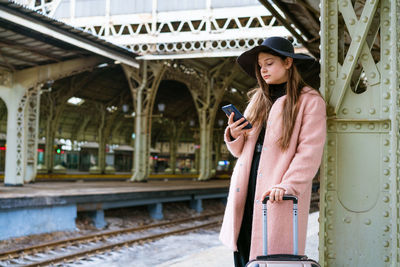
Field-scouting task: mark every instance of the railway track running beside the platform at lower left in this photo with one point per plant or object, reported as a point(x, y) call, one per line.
point(74, 249)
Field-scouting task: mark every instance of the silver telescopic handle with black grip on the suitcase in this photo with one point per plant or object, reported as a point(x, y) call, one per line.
point(295, 222)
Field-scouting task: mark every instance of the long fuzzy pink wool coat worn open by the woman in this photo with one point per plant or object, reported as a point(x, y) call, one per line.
point(292, 170)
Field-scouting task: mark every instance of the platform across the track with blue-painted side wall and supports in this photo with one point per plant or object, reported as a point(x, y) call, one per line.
point(53, 206)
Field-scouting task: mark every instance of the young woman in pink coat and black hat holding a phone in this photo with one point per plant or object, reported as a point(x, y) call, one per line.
point(279, 155)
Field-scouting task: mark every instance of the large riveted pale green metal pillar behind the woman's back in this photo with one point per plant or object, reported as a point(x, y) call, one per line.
point(359, 211)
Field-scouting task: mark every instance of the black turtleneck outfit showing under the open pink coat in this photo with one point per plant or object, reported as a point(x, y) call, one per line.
point(244, 239)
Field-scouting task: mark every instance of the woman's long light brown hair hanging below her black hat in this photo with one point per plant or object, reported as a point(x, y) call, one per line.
point(260, 102)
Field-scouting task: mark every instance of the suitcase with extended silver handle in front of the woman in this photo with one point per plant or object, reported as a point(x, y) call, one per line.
point(282, 260)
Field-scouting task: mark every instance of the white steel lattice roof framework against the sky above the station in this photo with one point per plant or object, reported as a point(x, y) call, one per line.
point(184, 30)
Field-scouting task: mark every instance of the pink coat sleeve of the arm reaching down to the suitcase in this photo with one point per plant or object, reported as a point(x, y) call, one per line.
point(308, 155)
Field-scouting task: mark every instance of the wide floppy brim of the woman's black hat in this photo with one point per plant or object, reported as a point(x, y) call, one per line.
point(247, 59)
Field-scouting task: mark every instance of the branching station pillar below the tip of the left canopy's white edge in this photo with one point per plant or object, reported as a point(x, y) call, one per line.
point(144, 85)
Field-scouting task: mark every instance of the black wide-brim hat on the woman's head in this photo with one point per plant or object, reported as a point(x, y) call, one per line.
point(277, 45)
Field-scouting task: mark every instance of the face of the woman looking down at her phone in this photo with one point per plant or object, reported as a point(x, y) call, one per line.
point(273, 69)
